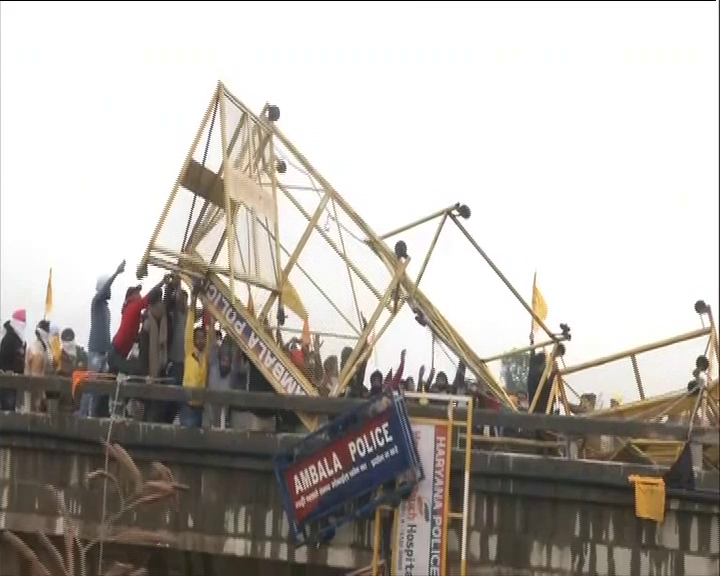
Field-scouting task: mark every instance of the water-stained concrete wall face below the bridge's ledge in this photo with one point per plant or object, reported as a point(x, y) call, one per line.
point(521, 523)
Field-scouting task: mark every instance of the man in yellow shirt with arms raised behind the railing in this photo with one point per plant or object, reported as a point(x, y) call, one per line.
point(195, 374)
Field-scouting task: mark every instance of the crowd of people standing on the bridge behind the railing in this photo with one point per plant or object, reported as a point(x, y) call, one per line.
point(164, 338)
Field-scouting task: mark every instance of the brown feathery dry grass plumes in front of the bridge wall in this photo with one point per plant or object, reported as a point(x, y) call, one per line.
point(133, 492)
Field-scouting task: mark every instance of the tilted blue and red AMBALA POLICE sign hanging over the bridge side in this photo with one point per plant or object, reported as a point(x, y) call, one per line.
point(333, 475)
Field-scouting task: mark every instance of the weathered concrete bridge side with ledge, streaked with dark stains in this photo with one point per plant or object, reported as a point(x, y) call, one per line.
point(529, 515)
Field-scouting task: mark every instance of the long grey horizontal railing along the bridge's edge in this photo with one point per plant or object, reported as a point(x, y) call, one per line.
point(567, 426)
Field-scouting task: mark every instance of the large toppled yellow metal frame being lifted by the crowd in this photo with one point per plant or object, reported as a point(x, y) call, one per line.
point(256, 156)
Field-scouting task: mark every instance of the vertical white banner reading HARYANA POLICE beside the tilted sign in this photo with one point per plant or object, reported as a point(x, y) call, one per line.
point(421, 521)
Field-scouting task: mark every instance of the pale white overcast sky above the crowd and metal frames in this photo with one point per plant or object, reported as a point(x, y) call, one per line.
point(584, 136)
